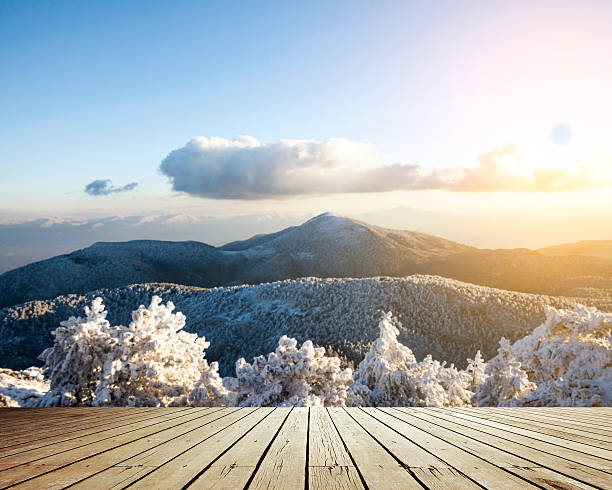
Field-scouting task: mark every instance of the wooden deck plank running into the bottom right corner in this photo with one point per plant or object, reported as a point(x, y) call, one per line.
point(535, 457)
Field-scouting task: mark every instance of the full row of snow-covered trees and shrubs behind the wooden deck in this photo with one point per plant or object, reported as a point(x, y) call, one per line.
point(566, 361)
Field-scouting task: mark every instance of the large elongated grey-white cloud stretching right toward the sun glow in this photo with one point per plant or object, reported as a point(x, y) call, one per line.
point(243, 168)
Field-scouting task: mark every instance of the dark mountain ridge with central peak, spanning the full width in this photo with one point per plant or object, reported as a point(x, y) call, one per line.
point(325, 246)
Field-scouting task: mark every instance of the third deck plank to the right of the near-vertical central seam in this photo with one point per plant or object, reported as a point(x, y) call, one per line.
point(430, 470)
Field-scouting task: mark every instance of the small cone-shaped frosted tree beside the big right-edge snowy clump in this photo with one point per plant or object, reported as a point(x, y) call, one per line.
point(505, 382)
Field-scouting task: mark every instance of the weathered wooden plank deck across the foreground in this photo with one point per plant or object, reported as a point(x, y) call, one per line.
point(306, 448)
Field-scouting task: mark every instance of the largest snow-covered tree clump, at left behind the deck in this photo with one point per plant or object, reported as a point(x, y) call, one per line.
point(152, 362)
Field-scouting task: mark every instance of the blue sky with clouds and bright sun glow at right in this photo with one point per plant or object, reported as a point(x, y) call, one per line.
point(500, 110)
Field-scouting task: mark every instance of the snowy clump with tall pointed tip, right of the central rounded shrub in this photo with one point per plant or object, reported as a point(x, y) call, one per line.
point(390, 375)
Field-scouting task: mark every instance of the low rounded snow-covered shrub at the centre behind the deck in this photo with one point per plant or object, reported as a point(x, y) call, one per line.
point(290, 377)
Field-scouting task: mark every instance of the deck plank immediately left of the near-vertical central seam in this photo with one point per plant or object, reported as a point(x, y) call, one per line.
point(284, 466)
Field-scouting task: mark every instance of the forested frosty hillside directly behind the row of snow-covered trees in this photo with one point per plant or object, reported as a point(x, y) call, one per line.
point(442, 317)
